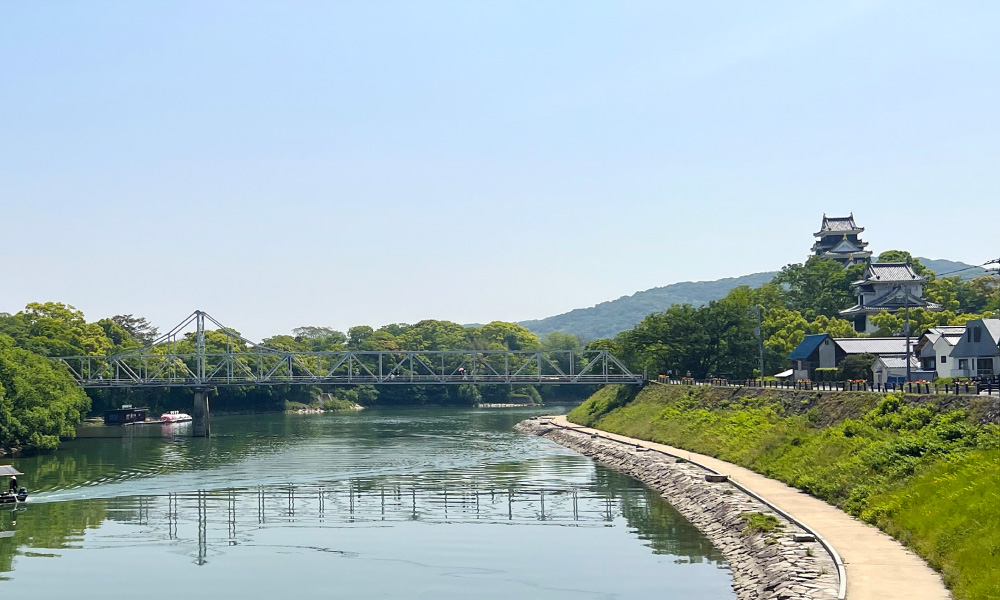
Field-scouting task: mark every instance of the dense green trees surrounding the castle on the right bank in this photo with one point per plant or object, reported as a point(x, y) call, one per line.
point(720, 338)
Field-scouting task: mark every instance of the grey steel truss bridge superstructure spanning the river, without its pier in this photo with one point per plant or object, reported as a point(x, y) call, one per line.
point(172, 361)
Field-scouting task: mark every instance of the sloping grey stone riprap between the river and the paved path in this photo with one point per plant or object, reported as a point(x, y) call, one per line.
point(765, 564)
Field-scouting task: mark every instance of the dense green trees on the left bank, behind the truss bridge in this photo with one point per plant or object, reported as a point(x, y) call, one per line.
point(40, 402)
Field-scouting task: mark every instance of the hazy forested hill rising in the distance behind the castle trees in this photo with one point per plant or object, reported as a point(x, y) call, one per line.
point(607, 319)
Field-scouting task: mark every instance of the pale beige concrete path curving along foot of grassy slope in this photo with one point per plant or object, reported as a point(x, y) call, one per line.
point(878, 567)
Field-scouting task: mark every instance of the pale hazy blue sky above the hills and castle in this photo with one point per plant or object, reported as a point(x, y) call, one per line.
point(320, 163)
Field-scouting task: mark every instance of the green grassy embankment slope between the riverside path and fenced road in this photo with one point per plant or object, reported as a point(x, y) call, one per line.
point(928, 476)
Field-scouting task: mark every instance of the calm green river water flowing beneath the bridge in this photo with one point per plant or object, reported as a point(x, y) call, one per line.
point(379, 504)
